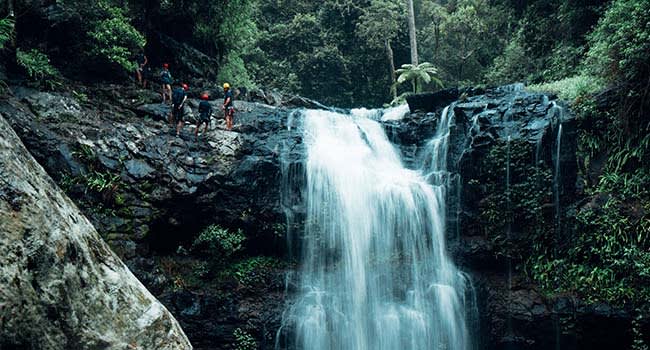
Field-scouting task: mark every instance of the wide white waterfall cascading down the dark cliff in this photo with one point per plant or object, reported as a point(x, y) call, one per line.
point(374, 271)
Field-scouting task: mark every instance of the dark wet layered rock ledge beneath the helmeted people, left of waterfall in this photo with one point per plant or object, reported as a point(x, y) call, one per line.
point(139, 184)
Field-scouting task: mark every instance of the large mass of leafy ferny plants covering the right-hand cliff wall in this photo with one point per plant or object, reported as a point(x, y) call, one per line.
point(608, 257)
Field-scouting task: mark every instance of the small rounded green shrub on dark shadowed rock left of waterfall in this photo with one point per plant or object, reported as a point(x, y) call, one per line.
point(219, 243)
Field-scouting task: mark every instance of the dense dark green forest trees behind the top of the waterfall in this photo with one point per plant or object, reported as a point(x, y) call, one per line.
point(341, 52)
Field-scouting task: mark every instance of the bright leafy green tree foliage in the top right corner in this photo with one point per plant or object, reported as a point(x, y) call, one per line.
point(620, 44)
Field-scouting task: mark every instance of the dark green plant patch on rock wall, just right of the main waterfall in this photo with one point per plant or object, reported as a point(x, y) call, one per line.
point(517, 206)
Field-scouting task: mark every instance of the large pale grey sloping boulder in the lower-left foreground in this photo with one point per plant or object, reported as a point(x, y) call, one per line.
point(61, 287)
